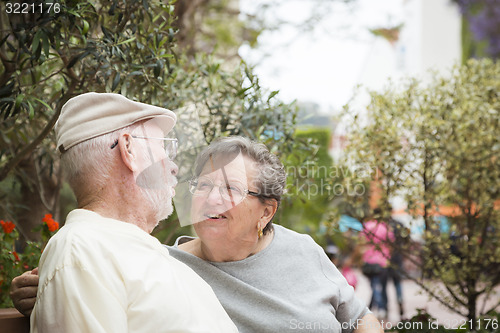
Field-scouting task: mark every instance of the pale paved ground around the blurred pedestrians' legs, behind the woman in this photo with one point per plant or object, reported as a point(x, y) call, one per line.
point(414, 299)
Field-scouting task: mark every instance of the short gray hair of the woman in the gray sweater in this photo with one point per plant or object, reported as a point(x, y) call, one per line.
point(271, 177)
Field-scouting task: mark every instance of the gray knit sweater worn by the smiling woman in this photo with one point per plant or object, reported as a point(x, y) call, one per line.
point(290, 286)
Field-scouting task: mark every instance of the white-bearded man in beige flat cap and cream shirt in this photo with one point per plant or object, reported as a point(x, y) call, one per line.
point(103, 272)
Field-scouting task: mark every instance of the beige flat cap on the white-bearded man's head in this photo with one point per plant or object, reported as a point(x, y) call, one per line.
point(90, 115)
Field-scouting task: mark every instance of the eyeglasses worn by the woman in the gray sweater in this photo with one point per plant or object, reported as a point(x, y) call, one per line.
point(231, 191)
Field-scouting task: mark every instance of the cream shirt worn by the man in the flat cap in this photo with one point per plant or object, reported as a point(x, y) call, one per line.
point(102, 275)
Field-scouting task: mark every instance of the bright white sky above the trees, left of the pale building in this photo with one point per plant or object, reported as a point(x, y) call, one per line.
point(324, 64)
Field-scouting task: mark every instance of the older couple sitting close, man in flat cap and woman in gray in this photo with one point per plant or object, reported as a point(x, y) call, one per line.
point(103, 272)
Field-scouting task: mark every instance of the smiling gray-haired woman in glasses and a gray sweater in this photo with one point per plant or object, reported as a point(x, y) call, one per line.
point(268, 278)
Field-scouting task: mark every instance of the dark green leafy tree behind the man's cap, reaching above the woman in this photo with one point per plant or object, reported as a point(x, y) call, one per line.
point(49, 55)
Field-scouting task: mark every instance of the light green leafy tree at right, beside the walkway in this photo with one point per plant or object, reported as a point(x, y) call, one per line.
point(438, 145)
